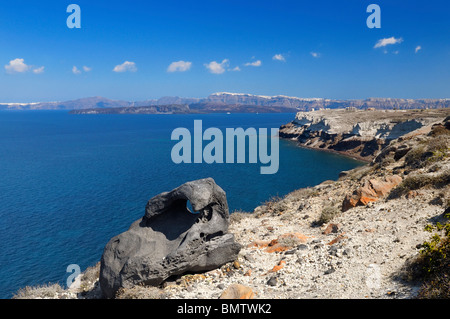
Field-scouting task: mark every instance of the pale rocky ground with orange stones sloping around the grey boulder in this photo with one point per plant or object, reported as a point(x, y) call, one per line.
point(350, 238)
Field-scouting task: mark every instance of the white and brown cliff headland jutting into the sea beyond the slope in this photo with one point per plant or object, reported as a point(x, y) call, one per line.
point(357, 133)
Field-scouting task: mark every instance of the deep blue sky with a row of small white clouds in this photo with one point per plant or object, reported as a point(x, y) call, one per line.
point(127, 49)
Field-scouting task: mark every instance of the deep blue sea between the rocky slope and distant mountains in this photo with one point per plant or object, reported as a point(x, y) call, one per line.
point(69, 183)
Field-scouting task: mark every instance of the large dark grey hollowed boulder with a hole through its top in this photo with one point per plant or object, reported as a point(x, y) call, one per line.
point(170, 239)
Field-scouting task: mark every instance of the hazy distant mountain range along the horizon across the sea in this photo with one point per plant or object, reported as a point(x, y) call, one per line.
point(226, 102)
